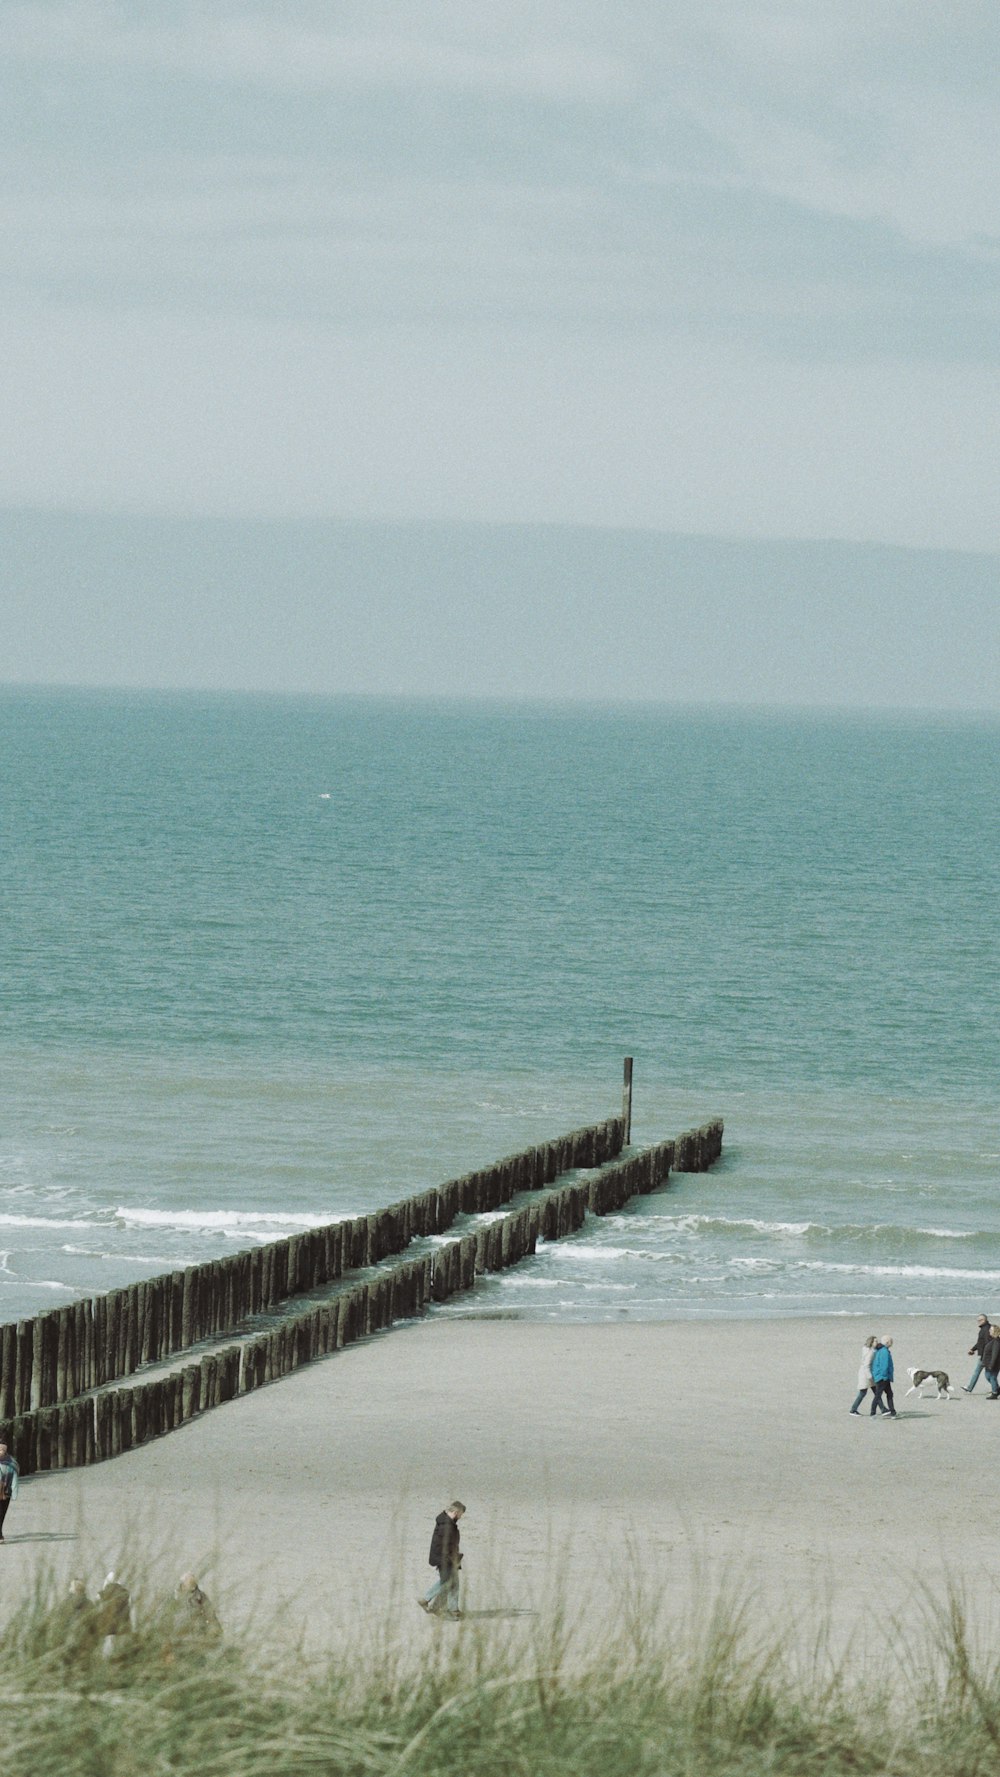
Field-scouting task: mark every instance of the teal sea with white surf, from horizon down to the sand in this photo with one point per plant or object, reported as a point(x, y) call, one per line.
point(269, 962)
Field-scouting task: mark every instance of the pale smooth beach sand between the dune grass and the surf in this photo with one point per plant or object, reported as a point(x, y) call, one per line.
point(647, 1460)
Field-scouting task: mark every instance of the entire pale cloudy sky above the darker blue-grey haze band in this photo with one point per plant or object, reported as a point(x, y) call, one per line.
point(726, 271)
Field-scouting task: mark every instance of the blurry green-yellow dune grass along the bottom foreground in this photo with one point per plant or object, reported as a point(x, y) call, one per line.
point(711, 1698)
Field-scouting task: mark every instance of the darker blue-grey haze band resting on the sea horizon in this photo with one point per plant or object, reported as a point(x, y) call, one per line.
point(493, 612)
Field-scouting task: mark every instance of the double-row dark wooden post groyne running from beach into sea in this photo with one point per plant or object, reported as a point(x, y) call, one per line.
point(72, 1382)
